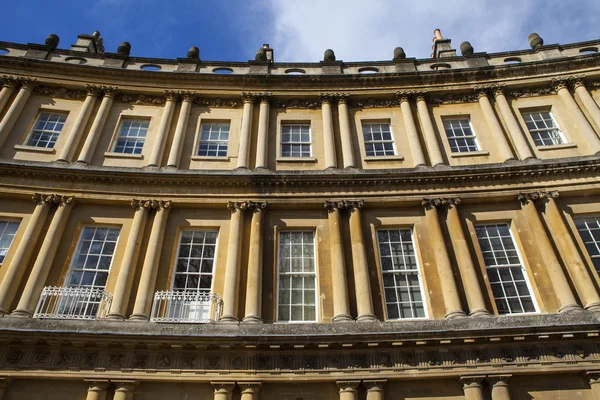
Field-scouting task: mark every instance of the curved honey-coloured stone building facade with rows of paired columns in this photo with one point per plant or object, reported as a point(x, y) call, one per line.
point(403, 229)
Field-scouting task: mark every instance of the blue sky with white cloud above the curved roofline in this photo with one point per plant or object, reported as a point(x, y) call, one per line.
point(300, 30)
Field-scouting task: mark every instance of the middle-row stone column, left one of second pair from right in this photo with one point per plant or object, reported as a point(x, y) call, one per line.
point(444, 268)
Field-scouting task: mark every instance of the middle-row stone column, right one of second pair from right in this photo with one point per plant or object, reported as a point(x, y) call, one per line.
point(468, 272)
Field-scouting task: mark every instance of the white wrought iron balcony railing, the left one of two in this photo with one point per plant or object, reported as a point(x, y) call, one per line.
point(73, 303)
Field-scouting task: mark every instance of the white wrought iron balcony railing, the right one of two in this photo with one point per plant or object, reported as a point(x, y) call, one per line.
point(186, 307)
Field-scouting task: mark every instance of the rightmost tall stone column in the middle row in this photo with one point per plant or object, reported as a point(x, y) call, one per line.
point(576, 266)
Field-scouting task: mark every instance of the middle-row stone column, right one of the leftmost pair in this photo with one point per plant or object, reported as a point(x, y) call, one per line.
point(43, 263)
